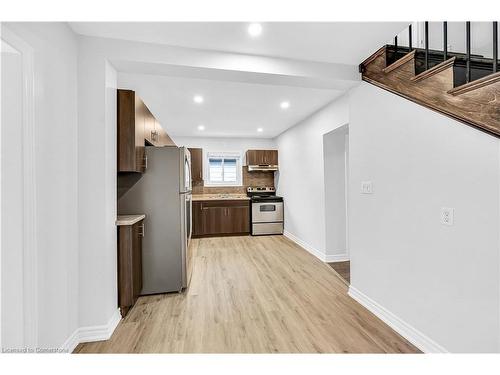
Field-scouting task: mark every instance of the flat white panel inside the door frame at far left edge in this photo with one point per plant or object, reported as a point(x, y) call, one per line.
point(12, 322)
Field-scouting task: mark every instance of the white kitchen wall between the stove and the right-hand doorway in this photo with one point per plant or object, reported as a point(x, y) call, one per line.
point(301, 177)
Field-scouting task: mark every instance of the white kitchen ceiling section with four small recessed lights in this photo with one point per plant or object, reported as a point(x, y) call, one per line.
point(230, 109)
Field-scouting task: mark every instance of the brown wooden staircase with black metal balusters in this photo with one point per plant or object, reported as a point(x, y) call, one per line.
point(464, 86)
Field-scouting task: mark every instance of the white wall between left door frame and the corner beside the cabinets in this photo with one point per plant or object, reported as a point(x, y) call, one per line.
point(55, 67)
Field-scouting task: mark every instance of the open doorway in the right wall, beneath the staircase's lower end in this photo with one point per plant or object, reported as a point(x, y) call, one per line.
point(336, 172)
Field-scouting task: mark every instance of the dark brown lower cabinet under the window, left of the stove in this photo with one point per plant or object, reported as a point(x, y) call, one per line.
point(224, 217)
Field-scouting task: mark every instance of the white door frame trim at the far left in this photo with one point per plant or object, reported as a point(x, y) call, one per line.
point(30, 253)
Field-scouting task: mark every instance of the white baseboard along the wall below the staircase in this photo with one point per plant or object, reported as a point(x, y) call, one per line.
point(417, 338)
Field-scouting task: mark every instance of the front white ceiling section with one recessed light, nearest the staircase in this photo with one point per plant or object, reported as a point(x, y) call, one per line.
point(336, 42)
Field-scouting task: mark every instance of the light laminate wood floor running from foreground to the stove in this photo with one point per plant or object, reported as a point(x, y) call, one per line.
point(253, 295)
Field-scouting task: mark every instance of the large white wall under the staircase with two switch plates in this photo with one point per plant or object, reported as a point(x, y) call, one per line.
point(441, 280)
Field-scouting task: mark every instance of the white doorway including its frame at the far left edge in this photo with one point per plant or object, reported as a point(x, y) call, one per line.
point(18, 275)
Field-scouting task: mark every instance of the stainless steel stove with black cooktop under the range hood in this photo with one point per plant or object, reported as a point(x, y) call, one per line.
point(267, 211)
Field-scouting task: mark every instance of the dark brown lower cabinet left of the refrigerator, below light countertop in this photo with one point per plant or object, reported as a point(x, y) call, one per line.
point(129, 264)
